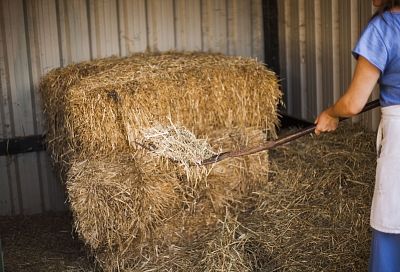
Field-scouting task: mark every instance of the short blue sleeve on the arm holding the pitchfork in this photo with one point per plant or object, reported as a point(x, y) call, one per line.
point(372, 47)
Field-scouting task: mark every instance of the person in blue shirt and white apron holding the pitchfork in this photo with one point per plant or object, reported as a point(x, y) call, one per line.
point(378, 61)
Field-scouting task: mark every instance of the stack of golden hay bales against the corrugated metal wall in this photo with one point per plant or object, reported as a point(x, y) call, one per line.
point(130, 205)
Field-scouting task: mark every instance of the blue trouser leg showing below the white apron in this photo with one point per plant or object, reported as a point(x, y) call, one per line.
point(385, 252)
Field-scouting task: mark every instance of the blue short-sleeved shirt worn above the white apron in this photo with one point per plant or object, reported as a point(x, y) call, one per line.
point(380, 45)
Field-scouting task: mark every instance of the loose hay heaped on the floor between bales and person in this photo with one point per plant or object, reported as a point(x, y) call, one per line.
point(312, 214)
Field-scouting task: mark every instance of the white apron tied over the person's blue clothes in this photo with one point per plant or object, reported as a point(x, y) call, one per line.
point(385, 210)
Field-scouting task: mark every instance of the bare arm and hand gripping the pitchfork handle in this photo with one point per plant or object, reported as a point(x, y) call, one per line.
point(365, 77)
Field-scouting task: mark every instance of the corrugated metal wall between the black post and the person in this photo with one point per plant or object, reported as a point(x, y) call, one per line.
point(315, 42)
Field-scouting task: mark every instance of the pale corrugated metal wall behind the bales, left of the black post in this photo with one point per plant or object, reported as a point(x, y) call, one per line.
point(38, 35)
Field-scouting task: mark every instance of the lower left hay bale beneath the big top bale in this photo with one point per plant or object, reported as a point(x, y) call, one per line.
point(119, 202)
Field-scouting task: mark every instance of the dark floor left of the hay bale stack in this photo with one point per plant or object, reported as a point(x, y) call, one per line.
point(42, 243)
